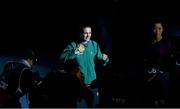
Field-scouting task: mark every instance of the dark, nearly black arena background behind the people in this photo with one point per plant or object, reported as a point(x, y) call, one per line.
point(49, 28)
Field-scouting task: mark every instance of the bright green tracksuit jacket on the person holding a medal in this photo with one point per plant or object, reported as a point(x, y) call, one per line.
point(86, 60)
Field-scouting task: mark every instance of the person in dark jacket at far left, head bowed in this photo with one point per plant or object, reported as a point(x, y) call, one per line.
point(17, 75)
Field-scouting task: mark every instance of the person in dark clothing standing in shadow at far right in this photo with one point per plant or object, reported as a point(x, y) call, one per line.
point(156, 67)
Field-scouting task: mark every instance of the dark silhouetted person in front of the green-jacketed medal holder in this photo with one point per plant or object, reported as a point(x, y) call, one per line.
point(63, 86)
